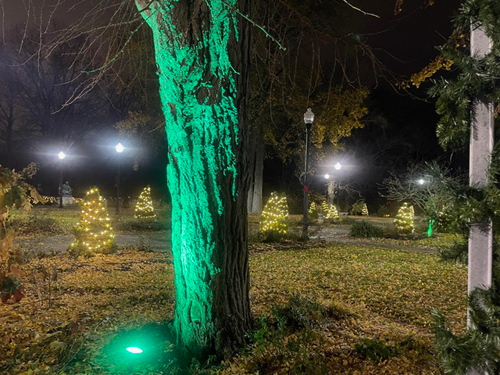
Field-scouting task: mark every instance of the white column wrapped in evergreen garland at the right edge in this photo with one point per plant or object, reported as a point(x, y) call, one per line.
point(481, 146)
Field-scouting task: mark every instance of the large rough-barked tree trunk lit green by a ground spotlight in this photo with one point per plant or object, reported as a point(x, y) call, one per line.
point(201, 49)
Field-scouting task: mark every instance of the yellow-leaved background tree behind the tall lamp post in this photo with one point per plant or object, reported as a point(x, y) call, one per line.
point(313, 65)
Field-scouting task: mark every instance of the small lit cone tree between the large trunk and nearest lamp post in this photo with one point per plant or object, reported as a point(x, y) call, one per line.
point(274, 218)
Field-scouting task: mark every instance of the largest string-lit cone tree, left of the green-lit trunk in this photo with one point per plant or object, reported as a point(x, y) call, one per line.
point(93, 234)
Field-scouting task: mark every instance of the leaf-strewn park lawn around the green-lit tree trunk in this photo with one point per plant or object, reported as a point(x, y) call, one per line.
point(328, 306)
